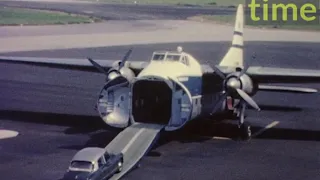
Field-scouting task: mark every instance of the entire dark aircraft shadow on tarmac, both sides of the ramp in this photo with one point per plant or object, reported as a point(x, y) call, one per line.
point(196, 131)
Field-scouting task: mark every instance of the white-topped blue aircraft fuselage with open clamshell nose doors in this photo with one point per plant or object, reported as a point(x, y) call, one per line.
point(171, 90)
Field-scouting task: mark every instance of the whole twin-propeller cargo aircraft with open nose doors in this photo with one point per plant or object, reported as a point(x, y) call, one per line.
point(173, 88)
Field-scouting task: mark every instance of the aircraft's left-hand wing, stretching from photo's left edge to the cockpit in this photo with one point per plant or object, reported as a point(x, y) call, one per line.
point(69, 63)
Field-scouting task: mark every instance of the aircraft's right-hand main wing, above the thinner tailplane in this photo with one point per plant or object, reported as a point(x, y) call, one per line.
point(283, 75)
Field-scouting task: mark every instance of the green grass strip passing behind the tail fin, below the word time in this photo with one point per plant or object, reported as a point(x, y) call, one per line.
point(230, 19)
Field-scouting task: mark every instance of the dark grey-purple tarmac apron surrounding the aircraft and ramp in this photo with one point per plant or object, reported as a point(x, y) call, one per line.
point(54, 116)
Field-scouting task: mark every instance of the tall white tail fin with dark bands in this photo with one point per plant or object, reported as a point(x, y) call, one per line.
point(234, 57)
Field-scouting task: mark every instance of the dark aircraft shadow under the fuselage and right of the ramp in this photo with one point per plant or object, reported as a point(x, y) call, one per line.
point(201, 131)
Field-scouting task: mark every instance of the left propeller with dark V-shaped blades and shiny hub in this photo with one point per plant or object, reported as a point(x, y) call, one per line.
point(115, 71)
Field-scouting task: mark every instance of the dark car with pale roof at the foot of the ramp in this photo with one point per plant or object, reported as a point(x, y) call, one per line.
point(94, 163)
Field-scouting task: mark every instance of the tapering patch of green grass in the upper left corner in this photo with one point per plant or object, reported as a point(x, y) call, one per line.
point(18, 16)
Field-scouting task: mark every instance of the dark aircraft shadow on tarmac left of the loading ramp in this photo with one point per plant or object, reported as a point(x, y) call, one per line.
point(99, 133)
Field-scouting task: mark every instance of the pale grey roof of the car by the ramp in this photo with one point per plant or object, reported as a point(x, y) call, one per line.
point(90, 154)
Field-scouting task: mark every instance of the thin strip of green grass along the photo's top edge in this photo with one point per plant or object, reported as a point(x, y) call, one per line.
point(179, 2)
